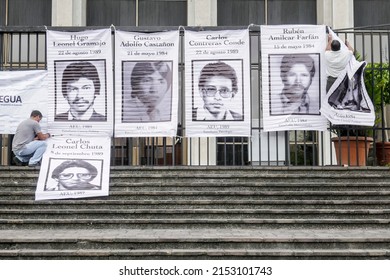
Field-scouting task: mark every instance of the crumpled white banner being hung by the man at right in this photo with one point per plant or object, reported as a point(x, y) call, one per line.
point(347, 101)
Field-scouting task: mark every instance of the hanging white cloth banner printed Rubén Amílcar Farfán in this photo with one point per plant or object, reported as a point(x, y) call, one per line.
point(293, 77)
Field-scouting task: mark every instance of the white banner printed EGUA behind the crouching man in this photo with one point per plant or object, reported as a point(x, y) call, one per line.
point(21, 92)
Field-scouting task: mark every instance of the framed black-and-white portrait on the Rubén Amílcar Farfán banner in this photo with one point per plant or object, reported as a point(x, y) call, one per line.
point(294, 84)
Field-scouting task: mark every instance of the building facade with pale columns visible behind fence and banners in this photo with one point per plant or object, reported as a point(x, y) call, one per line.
point(154, 15)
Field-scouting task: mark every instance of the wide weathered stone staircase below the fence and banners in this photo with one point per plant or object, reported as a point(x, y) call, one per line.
point(203, 213)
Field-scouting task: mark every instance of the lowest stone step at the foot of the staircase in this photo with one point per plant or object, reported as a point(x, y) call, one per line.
point(196, 254)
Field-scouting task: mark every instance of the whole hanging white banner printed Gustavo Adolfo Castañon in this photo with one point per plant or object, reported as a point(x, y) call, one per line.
point(146, 83)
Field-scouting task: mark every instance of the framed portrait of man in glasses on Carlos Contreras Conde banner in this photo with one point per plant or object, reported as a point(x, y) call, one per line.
point(217, 90)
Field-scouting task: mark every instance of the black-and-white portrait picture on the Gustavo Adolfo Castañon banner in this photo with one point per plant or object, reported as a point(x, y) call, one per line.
point(147, 91)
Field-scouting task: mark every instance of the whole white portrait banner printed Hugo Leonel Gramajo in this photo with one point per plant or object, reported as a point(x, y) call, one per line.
point(80, 82)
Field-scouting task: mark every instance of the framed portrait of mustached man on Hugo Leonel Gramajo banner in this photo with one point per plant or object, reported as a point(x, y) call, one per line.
point(80, 91)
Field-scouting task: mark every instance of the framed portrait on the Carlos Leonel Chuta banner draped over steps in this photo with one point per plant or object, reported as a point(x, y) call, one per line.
point(74, 175)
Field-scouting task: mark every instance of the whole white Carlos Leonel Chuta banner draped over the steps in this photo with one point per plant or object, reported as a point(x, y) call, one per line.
point(74, 167)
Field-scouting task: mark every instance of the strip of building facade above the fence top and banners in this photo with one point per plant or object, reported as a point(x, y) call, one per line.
point(338, 14)
